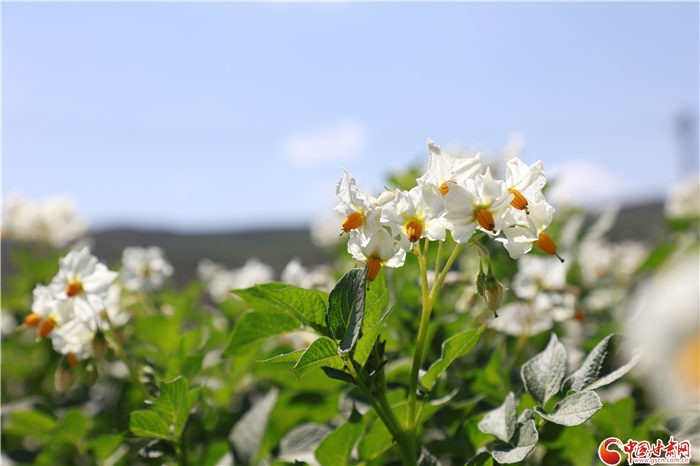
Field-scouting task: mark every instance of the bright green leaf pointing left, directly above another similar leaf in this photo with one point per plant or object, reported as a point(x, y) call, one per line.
point(307, 306)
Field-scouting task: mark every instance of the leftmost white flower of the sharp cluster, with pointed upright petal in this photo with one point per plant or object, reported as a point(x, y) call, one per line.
point(359, 209)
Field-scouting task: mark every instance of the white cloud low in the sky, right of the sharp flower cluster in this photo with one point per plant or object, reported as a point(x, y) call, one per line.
point(585, 183)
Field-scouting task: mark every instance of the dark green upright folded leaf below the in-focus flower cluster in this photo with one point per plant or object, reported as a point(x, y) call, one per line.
point(346, 308)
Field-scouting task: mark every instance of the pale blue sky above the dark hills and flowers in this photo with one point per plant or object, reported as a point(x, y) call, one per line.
point(198, 116)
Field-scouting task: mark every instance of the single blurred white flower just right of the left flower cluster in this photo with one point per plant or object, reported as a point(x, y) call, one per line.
point(144, 268)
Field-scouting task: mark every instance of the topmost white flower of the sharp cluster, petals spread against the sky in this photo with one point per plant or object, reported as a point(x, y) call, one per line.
point(444, 168)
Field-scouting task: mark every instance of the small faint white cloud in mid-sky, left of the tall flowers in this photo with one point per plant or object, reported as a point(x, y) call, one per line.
point(342, 141)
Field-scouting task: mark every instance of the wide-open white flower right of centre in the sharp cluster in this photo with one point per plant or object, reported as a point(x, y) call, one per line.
point(481, 202)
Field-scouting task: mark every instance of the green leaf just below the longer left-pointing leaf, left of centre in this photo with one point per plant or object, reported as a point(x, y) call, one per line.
point(256, 326)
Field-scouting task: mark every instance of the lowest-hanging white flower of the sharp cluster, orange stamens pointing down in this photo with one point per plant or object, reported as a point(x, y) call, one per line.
point(378, 249)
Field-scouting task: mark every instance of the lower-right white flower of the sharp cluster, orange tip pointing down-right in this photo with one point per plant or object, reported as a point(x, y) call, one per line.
point(525, 230)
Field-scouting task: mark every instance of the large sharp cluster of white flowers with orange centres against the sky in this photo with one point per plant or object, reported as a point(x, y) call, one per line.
point(455, 194)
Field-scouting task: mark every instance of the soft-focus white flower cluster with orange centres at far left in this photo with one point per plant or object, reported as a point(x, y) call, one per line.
point(77, 306)
